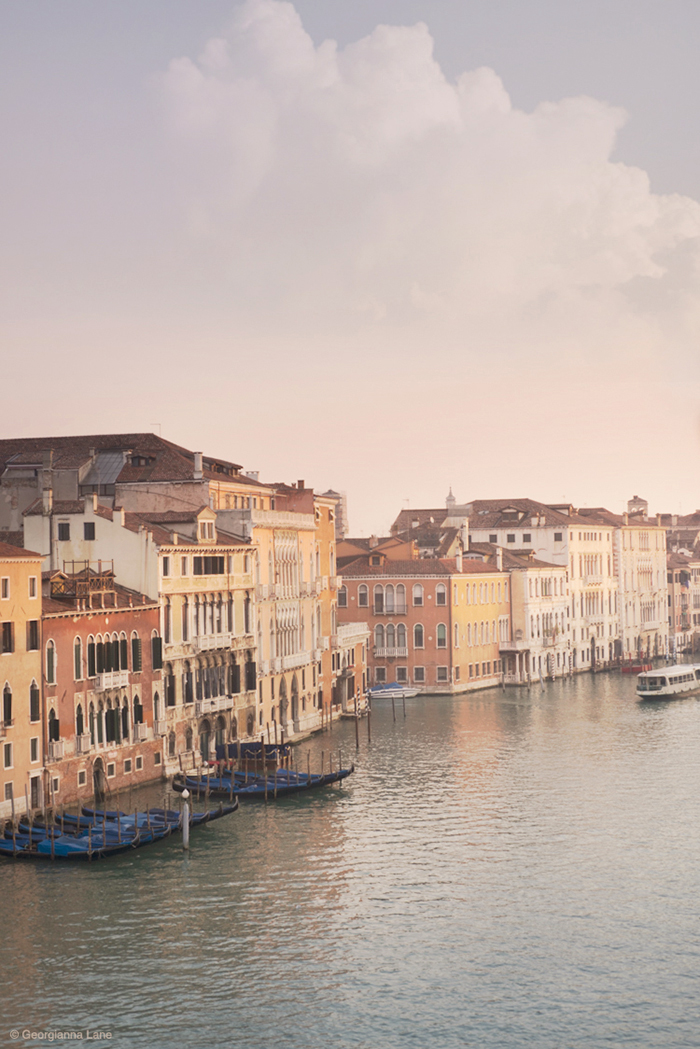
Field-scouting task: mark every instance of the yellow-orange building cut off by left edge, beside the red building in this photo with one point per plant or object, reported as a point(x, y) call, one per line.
point(22, 735)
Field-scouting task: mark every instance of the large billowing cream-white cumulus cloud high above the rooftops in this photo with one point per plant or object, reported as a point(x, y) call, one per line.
point(366, 189)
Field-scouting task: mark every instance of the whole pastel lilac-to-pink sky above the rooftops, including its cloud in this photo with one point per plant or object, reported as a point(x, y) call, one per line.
point(391, 248)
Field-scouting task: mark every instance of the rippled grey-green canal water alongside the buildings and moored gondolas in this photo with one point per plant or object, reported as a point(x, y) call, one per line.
point(503, 869)
